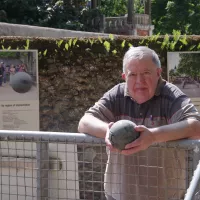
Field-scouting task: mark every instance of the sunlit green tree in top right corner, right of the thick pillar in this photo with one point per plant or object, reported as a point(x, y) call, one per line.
point(180, 15)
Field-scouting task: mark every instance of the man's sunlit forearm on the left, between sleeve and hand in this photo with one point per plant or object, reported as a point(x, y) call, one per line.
point(93, 126)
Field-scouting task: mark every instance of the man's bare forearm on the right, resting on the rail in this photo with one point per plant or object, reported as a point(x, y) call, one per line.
point(185, 129)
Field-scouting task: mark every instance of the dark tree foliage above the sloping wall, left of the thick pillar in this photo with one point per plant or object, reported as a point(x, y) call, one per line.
point(74, 14)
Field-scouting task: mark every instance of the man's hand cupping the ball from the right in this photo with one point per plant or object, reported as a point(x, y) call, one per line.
point(145, 140)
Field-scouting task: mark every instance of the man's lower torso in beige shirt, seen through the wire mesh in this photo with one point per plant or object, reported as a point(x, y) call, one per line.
point(158, 173)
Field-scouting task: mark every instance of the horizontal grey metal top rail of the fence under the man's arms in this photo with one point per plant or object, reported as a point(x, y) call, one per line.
point(81, 137)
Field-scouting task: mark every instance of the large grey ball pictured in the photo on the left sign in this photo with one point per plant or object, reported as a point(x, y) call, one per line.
point(21, 82)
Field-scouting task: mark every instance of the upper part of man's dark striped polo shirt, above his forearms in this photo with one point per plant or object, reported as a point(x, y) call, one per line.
point(169, 105)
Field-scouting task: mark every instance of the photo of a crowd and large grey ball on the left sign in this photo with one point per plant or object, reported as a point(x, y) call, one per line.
point(18, 75)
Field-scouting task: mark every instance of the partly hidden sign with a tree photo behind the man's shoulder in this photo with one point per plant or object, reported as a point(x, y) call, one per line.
point(184, 72)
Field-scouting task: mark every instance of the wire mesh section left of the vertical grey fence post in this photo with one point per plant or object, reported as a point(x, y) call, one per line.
point(18, 170)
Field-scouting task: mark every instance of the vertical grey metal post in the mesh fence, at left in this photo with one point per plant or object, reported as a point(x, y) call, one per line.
point(42, 170)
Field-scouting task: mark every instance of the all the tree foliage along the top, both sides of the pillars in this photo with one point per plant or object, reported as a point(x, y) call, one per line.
point(183, 15)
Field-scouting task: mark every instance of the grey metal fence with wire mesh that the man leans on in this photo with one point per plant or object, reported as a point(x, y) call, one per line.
point(52, 165)
